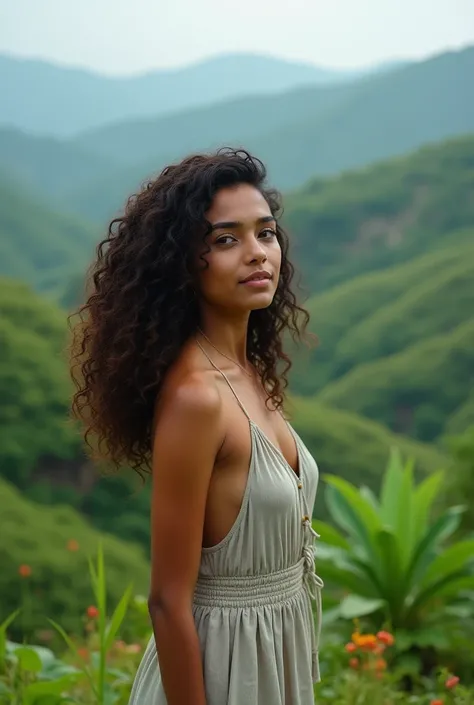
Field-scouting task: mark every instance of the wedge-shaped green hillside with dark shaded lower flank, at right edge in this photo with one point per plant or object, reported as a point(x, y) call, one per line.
point(415, 391)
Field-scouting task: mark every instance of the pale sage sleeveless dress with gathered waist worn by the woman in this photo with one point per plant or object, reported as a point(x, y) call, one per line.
point(254, 594)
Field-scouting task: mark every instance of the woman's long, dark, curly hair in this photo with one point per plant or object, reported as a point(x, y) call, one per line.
point(137, 318)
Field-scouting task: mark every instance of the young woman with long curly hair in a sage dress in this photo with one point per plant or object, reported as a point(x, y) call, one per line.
point(178, 367)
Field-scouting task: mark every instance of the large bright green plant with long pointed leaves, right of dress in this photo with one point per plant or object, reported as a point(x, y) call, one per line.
point(392, 560)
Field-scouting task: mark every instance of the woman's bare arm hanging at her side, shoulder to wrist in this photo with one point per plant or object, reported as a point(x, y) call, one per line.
point(186, 442)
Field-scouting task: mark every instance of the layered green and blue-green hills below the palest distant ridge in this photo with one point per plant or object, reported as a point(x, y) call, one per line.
point(386, 253)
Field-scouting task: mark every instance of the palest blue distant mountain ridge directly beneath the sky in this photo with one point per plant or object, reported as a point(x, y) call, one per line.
point(60, 101)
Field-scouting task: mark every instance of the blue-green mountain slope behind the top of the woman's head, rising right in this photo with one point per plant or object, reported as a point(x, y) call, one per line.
point(299, 134)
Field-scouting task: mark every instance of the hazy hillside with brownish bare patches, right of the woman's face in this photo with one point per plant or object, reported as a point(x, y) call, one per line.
point(386, 213)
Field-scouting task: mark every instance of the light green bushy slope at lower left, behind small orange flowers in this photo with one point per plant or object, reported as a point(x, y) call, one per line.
point(40, 537)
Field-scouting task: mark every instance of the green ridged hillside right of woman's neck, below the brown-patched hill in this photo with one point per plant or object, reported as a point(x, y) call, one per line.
point(343, 316)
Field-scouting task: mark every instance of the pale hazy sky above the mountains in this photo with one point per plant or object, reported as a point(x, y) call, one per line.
point(126, 36)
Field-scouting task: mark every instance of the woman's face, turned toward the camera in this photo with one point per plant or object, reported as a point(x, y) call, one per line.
point(244, 254)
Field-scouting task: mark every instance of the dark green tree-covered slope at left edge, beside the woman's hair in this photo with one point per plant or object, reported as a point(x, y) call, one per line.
point(34, 385)
